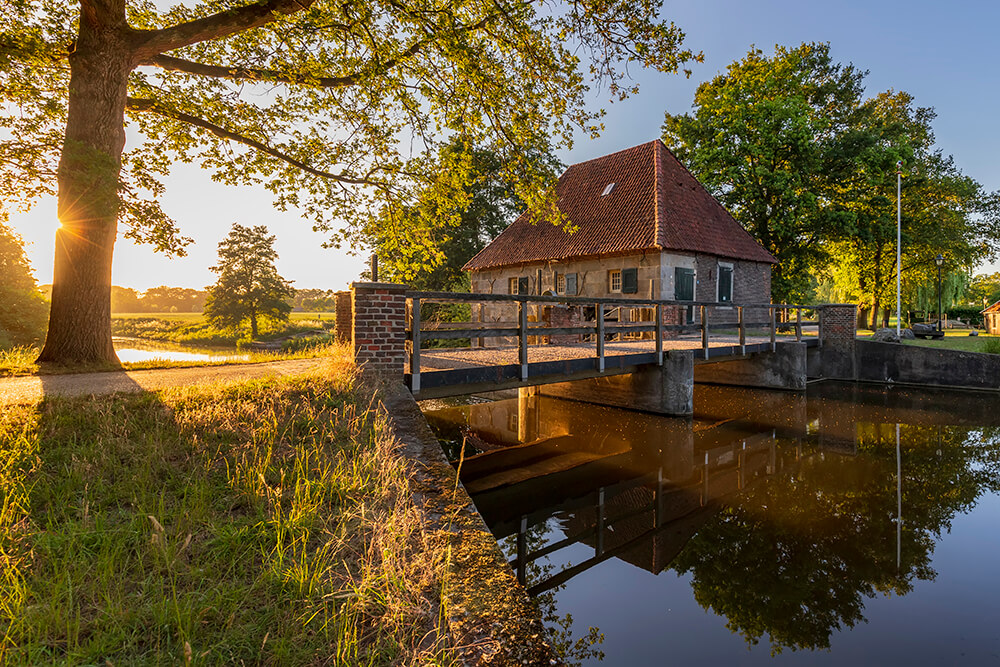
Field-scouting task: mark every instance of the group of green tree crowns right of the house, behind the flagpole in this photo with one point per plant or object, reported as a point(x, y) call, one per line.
point(807, 164)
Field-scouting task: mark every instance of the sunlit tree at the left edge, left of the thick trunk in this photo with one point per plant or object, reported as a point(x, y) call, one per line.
point(22, 308)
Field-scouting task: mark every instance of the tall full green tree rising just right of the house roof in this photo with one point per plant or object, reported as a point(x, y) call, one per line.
point(772, 138)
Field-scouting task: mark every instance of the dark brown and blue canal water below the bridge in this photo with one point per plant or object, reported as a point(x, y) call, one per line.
point(852, 524)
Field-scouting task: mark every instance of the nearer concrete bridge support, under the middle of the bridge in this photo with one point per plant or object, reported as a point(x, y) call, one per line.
point(665, 390)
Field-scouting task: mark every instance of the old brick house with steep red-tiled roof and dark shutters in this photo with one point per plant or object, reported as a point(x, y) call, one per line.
point(646, 228)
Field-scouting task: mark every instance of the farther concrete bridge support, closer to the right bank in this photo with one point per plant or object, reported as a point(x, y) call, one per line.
point(785, 368)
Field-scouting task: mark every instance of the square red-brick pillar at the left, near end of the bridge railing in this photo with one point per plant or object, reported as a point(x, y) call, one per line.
point(379, 326)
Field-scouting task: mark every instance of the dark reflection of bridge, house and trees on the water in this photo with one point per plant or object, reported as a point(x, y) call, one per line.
point(785, 513)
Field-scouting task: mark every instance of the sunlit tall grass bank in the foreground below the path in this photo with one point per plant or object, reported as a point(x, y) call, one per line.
point(264, 523)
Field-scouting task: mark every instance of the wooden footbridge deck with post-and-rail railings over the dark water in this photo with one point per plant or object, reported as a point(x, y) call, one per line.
point(537, 340)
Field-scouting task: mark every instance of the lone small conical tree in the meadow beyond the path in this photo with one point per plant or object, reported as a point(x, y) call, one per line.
point(249, 287)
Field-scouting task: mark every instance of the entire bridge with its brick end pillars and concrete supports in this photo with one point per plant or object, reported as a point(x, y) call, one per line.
point(639, 353)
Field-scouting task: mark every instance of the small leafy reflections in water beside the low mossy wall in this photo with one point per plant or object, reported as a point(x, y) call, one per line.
point(572, 651)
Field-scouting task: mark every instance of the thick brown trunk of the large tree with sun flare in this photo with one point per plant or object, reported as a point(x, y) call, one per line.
point(80, 316)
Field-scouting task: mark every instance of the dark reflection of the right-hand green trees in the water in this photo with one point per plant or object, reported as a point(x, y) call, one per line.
point(797, 556)
